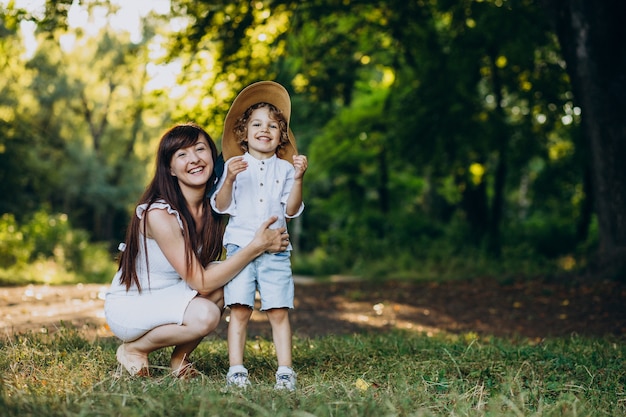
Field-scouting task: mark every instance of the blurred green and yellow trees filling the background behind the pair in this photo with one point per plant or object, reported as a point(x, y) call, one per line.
point(445, 137)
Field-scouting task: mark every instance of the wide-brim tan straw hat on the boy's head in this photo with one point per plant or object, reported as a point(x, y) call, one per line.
point(259, 92)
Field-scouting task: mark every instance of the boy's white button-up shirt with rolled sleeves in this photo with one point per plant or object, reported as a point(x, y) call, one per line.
point(259, 192)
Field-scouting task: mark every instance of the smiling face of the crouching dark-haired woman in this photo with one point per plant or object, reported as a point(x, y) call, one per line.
point(193, 165)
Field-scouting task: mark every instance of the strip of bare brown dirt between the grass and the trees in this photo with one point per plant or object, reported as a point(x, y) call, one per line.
point(521, 309)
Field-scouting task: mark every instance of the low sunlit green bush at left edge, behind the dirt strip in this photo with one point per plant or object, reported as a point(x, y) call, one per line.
point(46, 249)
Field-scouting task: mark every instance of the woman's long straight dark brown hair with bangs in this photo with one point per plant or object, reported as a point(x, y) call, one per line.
point(206, 244)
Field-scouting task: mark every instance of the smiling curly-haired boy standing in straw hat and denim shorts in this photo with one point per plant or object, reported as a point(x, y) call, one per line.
point(259, 181)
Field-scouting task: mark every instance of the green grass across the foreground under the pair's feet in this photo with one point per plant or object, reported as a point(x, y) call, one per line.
point(408, 375)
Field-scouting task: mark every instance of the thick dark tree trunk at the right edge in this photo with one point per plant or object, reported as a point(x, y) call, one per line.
point(592, 37)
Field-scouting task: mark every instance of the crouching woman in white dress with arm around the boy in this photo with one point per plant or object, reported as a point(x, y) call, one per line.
point(168, 289)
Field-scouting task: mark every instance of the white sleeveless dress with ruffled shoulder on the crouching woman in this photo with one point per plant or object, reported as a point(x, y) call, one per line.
point(163, 298)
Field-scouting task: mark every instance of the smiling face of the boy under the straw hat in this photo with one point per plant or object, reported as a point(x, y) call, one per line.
point(263, 134)
